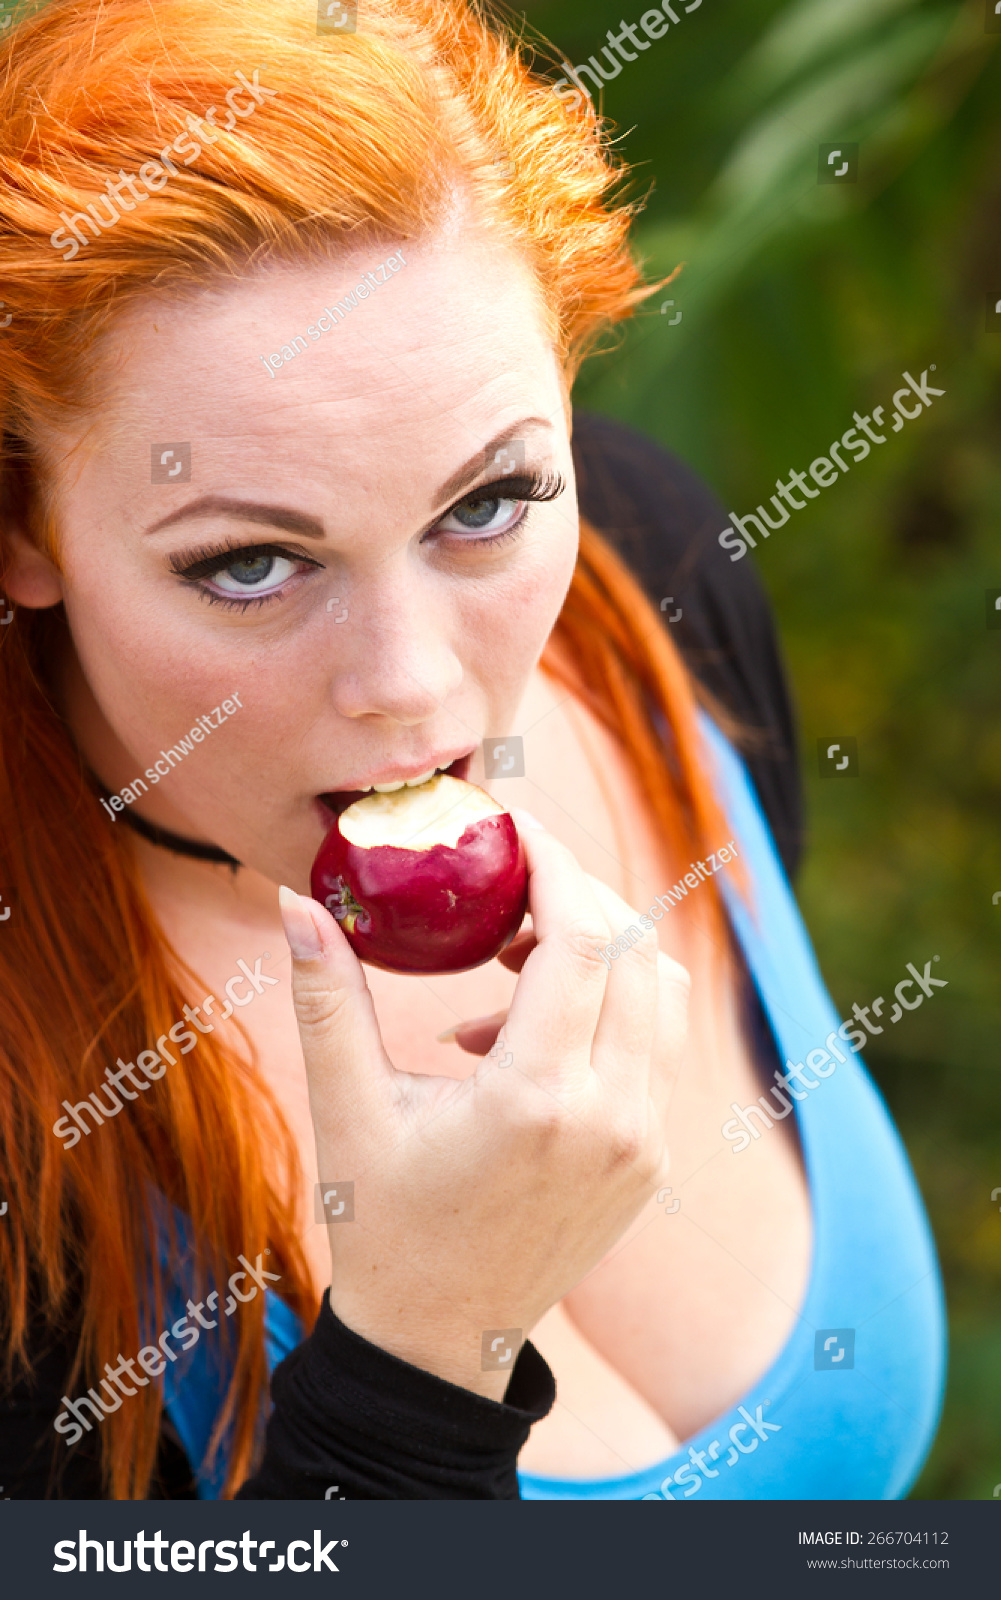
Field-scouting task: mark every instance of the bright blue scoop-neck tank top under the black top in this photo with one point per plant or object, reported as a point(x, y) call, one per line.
point(850, 1406)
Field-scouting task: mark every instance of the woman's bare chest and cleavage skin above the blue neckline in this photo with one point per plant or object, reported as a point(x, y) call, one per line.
point(647, 1348)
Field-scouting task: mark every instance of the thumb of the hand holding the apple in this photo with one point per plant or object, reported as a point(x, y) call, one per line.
point(346, 1060)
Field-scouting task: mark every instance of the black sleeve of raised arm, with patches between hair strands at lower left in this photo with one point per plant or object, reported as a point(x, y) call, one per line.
point(345, 1414)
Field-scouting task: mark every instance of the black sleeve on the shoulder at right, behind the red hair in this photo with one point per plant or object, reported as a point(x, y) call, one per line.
point(666, 526)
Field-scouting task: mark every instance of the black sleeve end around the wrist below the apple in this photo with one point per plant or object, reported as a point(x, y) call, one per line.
point(353, 1417)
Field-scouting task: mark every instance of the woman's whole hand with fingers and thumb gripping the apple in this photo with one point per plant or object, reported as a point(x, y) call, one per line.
point(479, 1204)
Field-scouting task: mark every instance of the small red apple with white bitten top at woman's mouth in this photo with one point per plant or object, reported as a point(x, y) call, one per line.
point(425, 881)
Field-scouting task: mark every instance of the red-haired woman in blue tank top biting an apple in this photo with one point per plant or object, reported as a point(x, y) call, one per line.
point(289, 513)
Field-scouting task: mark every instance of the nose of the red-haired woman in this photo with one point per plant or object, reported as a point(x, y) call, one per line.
point(399, 658)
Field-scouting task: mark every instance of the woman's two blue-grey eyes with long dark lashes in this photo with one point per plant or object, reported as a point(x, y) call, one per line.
point(517, 492)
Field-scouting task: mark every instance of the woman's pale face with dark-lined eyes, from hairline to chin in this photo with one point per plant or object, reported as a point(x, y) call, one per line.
point(356, 554)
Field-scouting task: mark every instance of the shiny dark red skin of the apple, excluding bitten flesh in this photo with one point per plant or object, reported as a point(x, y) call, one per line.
point(426, 911)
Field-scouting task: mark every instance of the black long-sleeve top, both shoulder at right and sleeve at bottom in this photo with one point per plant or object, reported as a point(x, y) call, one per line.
point(346, 1412)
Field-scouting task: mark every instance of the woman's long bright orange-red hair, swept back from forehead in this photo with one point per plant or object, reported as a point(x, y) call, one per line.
point(369, 134)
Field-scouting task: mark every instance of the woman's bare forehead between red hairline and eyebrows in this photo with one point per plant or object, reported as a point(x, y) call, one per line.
point(441, 354)
